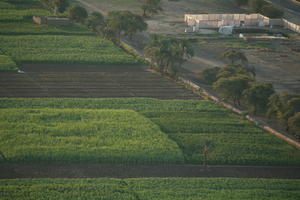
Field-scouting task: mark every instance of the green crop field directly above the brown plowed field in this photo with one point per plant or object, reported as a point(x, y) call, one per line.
point(63, 49)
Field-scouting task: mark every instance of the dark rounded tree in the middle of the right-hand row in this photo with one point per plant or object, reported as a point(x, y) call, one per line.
point(257, 96)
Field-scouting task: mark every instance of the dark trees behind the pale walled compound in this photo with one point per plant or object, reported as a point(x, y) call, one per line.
point(261, 6)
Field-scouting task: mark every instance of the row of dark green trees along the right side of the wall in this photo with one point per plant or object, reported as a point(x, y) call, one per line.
point(236, 83)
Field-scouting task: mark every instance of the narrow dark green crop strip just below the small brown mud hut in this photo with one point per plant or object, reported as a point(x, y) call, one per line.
point(29, 28)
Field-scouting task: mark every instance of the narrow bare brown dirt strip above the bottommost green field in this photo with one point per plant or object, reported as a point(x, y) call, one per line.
point(9, 171)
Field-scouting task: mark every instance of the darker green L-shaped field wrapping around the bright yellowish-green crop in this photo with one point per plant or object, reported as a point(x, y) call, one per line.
point(191, 124)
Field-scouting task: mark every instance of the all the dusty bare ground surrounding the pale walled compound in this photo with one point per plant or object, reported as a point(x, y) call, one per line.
point(278, 63)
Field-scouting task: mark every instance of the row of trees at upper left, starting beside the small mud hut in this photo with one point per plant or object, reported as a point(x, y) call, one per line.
point(117, 23)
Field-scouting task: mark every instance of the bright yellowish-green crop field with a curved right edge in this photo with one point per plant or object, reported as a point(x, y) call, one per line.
point(105, 136)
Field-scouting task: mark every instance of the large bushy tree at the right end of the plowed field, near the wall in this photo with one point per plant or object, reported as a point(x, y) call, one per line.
point(167, 54)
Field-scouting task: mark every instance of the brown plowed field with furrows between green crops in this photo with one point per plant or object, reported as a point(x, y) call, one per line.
point(89, 81)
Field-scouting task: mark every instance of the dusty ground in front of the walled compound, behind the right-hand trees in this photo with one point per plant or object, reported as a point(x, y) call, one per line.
point(278, 63)
